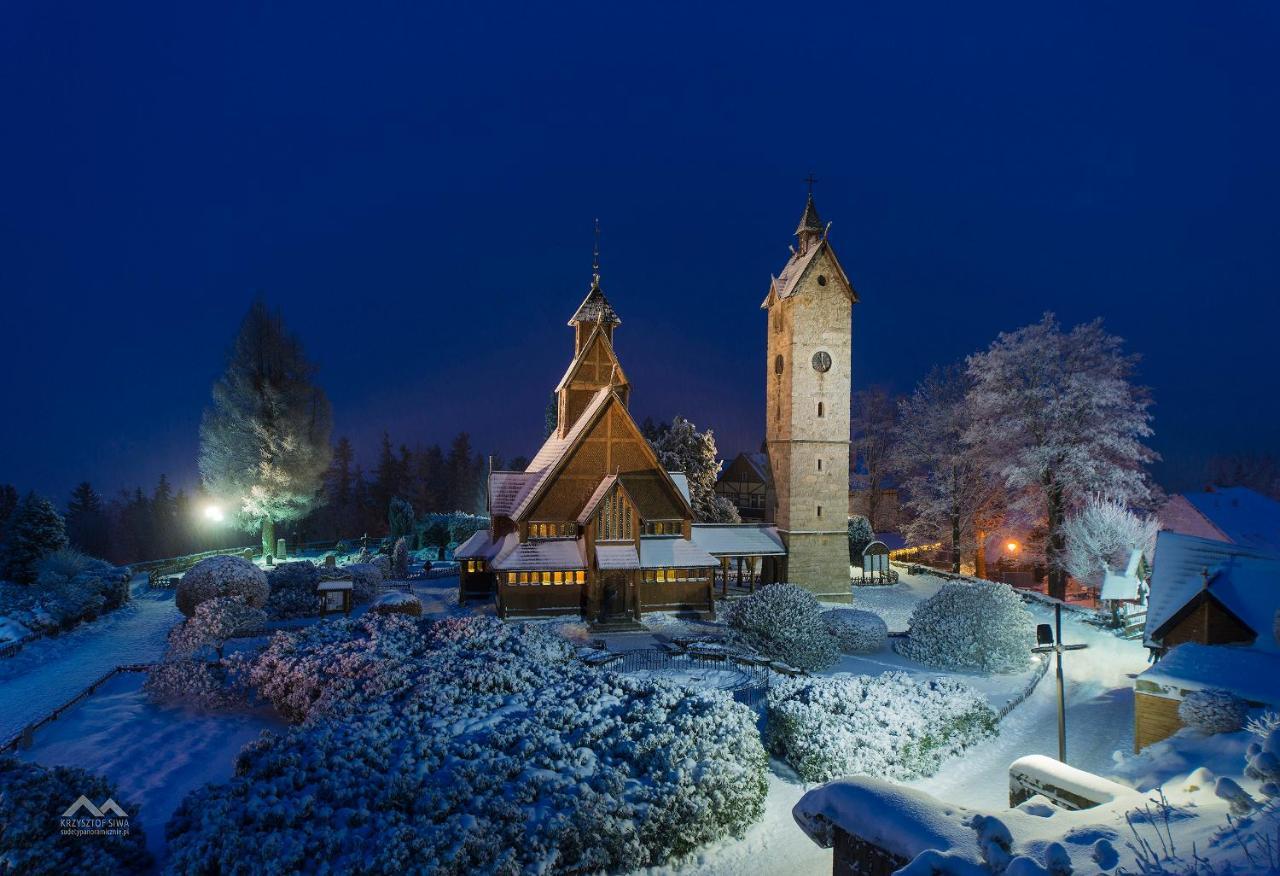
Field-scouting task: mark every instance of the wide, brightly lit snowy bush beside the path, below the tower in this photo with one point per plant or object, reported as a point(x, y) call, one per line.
point(889, 726)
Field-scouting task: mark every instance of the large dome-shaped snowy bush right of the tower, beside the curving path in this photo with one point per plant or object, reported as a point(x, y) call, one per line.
point(980, 626)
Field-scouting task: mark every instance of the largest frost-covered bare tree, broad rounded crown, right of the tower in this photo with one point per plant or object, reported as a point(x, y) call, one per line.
point(1058, 417)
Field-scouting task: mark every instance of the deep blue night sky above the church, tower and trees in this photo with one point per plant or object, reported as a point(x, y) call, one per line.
point(415, 186)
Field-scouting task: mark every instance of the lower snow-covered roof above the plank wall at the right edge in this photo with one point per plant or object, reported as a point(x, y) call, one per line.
point(1249, 673)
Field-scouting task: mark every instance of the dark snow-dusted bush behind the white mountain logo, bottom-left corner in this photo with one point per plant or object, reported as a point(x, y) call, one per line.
point(31, 801)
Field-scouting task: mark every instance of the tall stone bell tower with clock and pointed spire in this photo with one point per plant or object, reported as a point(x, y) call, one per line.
point(807, 422)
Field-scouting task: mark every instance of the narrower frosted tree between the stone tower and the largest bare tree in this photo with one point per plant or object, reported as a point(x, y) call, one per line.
point(952, 498)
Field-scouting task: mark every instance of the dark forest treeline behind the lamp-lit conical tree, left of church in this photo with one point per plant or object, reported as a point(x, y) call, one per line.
point(162, 522)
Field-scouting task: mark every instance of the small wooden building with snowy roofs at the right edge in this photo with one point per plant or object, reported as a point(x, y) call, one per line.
point(1210, 624)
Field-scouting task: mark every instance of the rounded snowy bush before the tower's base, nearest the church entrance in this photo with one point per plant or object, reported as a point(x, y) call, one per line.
point(785, 622)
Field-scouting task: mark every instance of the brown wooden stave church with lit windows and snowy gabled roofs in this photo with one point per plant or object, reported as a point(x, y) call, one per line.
point(596, 526)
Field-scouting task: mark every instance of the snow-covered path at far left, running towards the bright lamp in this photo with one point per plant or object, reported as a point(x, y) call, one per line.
point(49, 672)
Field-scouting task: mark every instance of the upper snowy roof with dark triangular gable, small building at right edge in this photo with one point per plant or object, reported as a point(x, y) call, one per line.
point(1245, 580)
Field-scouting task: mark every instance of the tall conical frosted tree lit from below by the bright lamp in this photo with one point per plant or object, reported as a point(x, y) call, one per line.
point(264, 442)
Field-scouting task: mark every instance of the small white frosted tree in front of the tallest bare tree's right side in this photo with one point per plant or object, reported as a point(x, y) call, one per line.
point(1101, 537)
